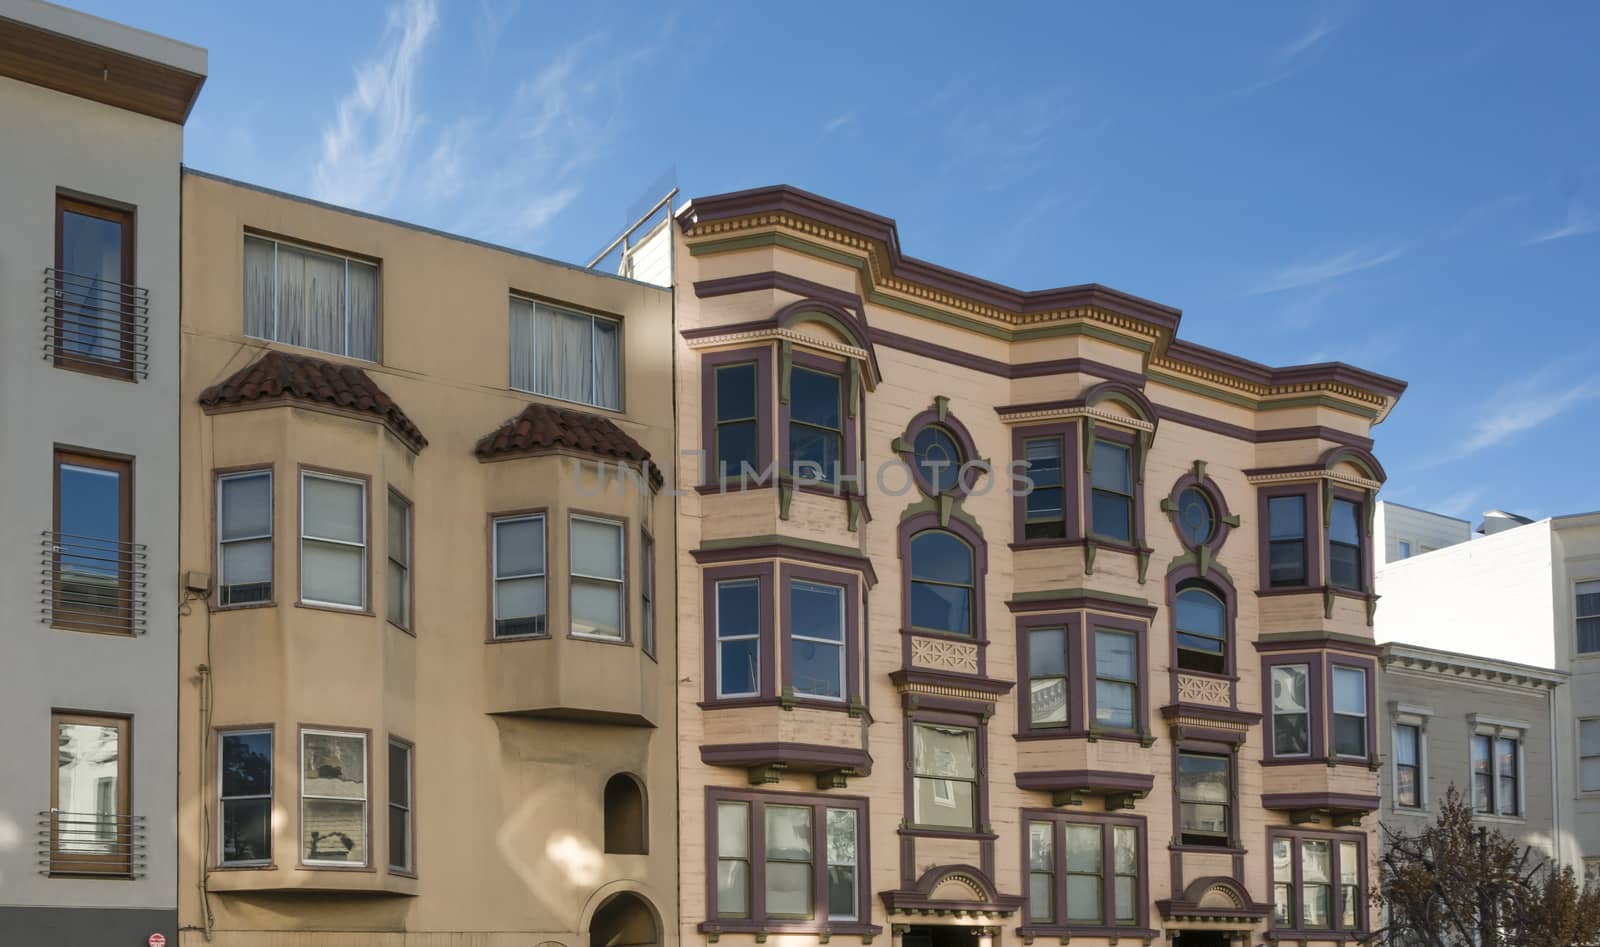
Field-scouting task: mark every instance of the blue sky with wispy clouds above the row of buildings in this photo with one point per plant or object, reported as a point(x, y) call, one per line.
point(1412, 188)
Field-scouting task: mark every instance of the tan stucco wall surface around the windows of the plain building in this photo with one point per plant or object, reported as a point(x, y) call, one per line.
point(508, 807)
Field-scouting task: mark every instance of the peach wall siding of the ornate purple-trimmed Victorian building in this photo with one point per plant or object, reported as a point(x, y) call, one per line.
point(910, 385)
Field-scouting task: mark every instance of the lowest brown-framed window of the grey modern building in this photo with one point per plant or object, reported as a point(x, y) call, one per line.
point(90, 821)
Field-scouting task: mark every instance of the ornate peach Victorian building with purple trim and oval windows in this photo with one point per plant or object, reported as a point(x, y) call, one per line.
point(914, 705)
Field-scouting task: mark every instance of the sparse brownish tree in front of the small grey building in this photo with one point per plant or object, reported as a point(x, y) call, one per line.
point(1462, 885)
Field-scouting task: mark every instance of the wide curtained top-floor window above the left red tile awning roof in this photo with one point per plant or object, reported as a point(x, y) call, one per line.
point(313, 300)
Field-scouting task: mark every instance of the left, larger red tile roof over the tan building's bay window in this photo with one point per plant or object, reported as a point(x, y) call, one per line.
point(284, 375)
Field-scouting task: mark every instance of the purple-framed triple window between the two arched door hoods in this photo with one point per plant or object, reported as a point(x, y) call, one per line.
point(1084, 874)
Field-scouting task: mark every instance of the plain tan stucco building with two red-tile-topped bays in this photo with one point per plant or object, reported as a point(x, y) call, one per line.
point(426, 666)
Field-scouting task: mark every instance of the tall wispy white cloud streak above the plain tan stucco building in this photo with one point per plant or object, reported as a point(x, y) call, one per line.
point(367, 150)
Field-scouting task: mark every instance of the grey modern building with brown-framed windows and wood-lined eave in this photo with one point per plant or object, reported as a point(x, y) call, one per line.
point(90, 172)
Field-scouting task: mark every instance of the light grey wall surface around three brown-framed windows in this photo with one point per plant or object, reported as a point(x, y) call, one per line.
point(58, 142)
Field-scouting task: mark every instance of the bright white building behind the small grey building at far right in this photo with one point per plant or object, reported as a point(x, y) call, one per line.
point(1526, 594)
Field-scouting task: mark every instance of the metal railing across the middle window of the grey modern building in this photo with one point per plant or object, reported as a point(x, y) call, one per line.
point(94, 585)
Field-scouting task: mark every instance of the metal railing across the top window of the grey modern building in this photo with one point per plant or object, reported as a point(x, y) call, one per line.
point(97, 324)
